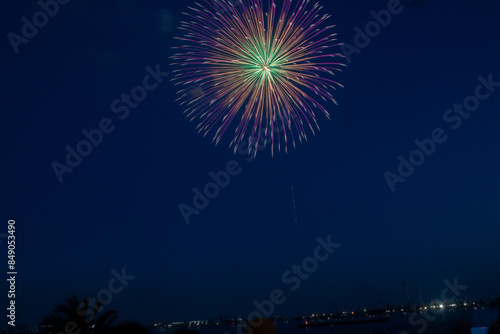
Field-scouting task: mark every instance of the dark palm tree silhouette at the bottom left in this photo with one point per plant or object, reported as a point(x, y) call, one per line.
point(76, 316)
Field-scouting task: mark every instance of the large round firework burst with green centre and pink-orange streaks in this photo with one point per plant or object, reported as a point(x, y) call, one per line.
point(258, 71)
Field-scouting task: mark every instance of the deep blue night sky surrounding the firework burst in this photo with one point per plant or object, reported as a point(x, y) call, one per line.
point(112, 226)
